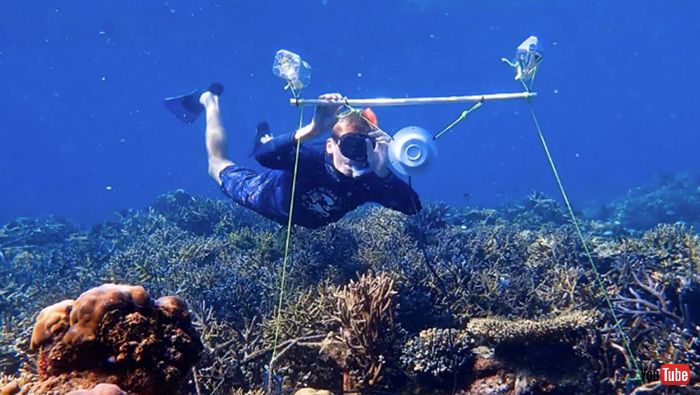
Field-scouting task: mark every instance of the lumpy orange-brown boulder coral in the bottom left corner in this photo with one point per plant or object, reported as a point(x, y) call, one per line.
point(113, 334)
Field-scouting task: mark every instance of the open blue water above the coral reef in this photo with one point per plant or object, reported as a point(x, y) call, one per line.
point(84, 131)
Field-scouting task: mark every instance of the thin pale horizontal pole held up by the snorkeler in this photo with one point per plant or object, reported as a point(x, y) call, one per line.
point(413, 101)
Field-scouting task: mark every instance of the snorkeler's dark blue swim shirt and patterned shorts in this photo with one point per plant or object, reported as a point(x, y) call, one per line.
point(322, 195)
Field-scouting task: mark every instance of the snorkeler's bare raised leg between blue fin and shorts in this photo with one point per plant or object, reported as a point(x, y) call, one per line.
point(215, 136)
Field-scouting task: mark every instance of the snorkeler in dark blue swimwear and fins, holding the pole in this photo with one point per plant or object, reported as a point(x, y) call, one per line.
point(350, 171)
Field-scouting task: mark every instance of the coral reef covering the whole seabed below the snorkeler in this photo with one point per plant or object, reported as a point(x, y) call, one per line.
point(458, 300)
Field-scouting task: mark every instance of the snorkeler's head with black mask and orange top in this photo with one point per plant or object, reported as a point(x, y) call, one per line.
point(347, 145)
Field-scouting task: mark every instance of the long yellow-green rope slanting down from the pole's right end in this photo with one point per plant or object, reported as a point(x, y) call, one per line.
point(599, 280)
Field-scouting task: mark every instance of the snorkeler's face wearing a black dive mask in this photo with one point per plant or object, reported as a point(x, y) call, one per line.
point(344, 165)
